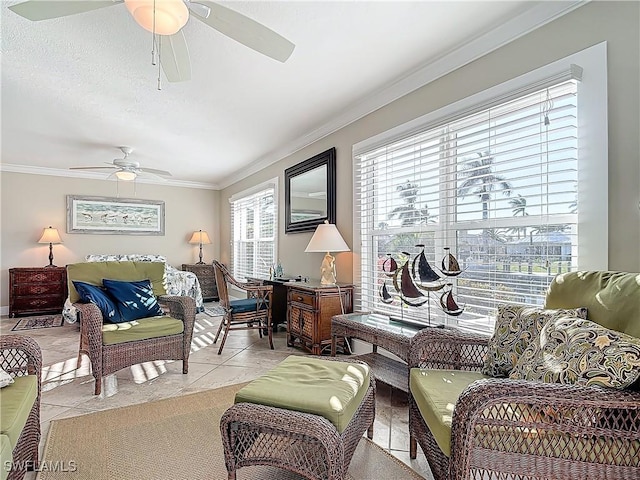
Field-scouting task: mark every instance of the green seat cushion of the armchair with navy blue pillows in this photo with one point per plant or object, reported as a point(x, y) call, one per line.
point(142, 329)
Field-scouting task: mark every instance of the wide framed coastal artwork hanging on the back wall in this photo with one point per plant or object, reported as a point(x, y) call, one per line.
point(117, 216)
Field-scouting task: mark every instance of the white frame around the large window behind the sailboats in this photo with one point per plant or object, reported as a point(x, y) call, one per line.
point(592, 151)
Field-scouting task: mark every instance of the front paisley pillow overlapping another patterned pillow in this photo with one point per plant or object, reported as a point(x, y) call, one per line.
point(576, 351)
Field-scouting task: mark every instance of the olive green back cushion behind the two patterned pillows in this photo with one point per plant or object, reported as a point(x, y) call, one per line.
point(611, 298)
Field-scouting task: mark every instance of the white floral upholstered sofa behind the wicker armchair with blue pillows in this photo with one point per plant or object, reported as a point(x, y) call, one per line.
point(176, 282)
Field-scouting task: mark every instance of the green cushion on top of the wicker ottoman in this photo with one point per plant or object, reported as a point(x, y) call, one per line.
point(333, 390)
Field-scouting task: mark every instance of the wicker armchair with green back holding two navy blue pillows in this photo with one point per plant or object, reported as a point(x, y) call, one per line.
point(109, 358)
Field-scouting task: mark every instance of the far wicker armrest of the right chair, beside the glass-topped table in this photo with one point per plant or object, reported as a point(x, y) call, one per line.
point(447, 348)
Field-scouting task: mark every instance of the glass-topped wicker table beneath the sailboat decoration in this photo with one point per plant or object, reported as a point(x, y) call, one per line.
point(380, 331)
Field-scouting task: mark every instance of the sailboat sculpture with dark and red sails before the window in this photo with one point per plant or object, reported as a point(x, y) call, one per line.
point(414, 285)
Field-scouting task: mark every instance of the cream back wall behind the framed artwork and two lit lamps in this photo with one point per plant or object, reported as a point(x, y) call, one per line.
point(32, 202)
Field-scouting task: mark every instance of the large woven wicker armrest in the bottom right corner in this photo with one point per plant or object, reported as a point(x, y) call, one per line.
point(551, 424)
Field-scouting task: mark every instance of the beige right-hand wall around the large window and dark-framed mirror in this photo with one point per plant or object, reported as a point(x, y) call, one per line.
point(614, 22)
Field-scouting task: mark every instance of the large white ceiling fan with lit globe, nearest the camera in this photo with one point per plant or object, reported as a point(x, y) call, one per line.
point(166, 19)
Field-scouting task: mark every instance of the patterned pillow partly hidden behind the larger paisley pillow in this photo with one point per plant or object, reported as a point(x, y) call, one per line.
point(516, 328)
